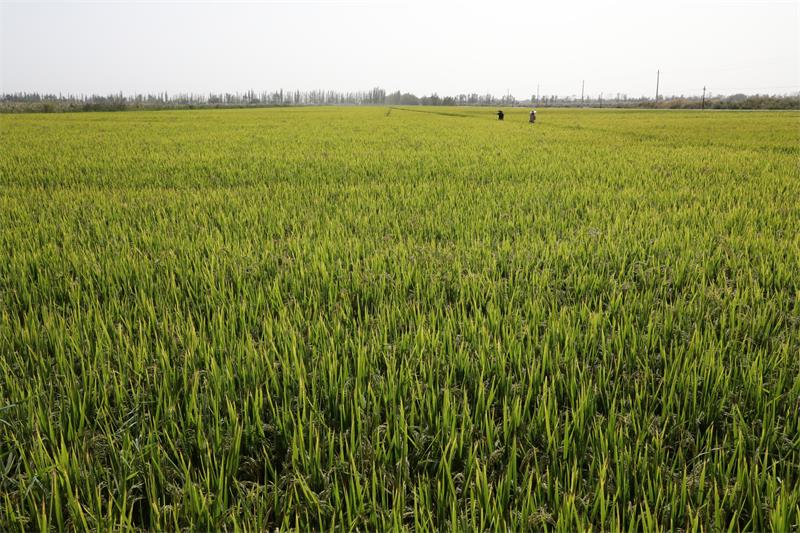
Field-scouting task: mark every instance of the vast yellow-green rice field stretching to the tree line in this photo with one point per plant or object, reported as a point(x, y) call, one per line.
point(368, 318)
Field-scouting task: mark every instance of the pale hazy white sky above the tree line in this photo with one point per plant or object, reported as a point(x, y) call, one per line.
point(419, 46)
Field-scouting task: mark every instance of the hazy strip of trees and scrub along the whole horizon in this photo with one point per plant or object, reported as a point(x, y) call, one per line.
point(49, 103)
